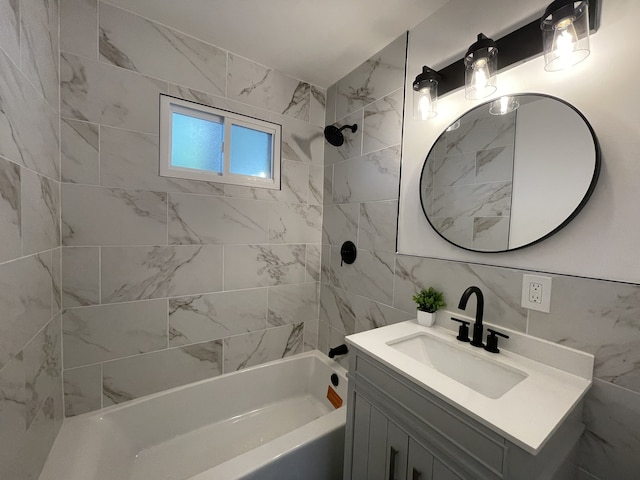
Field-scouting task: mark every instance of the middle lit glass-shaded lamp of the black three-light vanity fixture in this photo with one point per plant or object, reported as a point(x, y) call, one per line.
point(480, 68)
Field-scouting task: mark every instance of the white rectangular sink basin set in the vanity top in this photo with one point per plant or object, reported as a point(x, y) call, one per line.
point(461, 364)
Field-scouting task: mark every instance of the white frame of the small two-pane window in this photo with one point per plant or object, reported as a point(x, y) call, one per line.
point(169, 105)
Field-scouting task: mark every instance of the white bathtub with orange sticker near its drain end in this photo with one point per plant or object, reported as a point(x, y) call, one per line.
point(274, 421)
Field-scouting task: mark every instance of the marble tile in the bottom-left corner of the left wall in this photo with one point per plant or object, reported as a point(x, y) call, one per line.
point(13, 422)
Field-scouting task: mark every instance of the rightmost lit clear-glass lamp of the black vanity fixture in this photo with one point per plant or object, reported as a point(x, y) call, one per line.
point(565, 34)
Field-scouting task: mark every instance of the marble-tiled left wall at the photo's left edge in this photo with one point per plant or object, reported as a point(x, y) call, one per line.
point(30, 325)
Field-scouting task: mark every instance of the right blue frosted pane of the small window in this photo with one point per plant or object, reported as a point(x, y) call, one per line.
point(250, 152)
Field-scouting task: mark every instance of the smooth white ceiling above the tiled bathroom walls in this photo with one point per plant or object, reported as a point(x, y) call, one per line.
point(315, 41)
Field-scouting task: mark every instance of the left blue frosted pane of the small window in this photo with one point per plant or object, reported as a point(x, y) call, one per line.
point(196, 143)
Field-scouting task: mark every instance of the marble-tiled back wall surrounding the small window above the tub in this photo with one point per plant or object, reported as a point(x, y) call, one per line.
point(169, 281)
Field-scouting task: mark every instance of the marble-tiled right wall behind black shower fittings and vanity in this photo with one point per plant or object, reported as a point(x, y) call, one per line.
point(361, 192)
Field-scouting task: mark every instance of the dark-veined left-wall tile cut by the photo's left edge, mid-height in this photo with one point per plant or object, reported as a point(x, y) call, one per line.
point(10, 211)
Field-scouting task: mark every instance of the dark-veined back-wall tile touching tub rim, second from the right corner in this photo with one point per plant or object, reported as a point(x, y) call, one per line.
point(250, 349)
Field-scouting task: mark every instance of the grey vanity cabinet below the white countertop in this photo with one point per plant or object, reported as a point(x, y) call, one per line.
point(396, 430)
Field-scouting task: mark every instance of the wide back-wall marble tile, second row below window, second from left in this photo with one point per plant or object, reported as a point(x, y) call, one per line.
point(139, 273)
